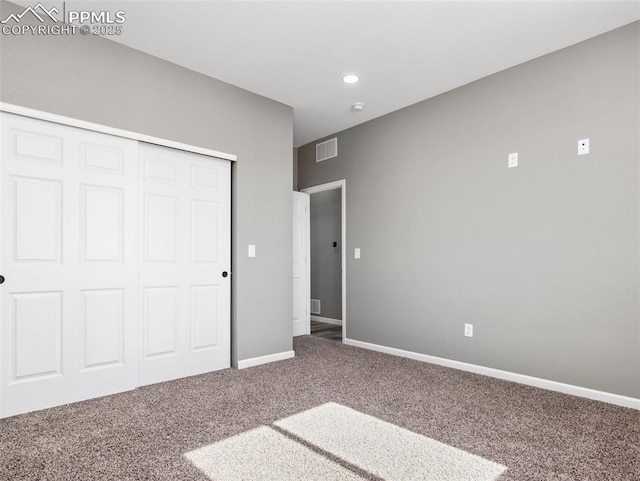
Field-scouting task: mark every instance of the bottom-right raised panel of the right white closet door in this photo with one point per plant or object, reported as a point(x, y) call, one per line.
point(204, 317)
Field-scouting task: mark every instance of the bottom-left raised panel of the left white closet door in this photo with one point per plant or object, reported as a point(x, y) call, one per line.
point(37, 331)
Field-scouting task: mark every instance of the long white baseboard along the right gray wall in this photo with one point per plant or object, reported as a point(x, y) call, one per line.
point(616, 399)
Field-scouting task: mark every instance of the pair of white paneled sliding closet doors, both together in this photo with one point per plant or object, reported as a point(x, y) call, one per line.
point(112, 253)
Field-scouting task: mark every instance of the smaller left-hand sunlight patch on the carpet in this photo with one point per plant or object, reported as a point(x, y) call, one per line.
point(264, 454)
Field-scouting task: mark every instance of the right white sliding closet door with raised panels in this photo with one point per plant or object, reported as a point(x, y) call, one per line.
point(184, 273)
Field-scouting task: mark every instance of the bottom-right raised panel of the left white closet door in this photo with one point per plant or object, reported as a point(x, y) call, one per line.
point(102, 327)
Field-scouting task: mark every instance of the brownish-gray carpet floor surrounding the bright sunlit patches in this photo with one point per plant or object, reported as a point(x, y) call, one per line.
point(143, 434)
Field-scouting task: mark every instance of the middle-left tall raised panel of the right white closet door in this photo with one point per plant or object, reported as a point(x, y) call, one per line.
point(160, 232)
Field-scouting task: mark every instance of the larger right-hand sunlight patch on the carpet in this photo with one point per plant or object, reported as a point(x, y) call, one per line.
point(384, 449)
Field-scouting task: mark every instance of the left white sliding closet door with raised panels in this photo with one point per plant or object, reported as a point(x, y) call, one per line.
point(69, 301)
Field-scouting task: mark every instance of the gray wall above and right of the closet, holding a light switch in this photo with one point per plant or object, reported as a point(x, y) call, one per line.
point(100, 81)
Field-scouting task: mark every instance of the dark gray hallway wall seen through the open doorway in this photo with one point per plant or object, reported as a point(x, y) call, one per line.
point(326, 262)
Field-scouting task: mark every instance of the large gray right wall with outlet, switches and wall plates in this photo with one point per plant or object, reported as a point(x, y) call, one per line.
point(542, 259)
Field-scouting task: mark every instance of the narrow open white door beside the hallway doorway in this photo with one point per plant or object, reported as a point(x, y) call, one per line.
point(301, 278)
